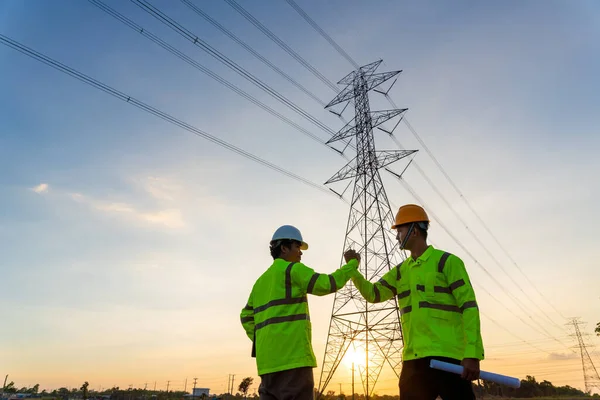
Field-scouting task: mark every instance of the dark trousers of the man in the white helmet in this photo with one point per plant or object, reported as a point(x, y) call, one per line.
point(293, 384)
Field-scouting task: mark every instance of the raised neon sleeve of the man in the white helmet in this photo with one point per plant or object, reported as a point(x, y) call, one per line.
point(318, 284)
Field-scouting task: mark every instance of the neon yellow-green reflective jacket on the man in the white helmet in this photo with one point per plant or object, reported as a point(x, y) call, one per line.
point(276, 317)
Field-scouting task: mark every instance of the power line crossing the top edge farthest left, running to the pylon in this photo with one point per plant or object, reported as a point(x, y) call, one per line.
point(147, 34)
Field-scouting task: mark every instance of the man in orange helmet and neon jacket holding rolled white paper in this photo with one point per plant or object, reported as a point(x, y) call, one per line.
point(439, 313)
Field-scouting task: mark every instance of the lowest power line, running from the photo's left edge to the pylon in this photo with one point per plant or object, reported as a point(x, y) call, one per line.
point(128, 99)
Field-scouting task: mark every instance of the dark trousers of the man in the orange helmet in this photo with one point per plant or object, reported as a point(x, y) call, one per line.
point(420, 382)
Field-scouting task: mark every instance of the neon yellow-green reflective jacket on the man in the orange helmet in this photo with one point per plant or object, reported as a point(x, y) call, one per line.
point(438, 308)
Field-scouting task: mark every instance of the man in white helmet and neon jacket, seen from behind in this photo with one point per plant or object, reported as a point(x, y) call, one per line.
point(276, 317)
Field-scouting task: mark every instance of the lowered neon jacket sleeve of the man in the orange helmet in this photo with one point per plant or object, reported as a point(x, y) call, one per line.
point(462, 290)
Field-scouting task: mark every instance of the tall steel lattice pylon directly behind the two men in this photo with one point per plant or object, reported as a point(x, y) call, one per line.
point(373, 330)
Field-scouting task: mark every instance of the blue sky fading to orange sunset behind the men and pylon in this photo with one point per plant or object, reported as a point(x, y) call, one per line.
point(129, 244)
